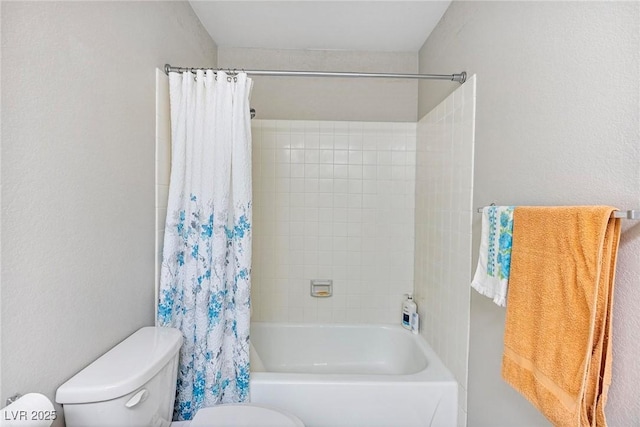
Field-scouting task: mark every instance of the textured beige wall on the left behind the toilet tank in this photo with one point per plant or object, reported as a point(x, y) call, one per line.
point(78, 134)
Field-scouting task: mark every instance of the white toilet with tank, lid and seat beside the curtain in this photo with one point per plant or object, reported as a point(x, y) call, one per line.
point(134, 385)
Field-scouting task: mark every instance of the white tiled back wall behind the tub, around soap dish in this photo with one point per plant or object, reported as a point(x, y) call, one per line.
point(332, 200)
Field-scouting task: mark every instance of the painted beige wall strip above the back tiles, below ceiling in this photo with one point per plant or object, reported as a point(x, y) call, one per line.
point(310, 98)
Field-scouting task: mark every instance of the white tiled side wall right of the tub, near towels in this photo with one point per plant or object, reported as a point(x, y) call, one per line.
point(444, 186)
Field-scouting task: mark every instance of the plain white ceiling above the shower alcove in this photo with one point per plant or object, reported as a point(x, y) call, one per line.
point(388, 26)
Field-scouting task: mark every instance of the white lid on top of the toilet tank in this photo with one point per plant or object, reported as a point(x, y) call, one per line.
point(124, 368)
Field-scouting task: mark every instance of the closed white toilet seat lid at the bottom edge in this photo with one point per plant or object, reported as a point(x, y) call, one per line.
point(244, 415)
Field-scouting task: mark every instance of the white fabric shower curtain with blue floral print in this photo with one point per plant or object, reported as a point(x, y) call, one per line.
point(206, 267)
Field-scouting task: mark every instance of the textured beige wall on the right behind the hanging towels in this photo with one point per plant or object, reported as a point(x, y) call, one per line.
point(557, 123)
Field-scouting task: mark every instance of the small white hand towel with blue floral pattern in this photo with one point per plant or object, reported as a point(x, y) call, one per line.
point(492, 274)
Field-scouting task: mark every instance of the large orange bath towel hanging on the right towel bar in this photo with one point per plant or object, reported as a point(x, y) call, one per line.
point(557, 341)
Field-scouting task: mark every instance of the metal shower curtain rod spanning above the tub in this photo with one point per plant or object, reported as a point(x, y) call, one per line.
point(460, 78)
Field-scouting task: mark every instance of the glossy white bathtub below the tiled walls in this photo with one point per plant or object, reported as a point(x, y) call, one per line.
point(334, 375)
